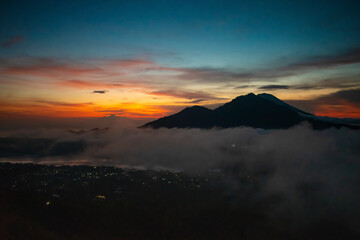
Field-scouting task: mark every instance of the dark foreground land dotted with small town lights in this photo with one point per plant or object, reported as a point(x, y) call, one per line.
point(84, 202)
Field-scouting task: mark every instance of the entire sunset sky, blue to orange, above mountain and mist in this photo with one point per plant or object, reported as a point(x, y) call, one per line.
point(149, 59)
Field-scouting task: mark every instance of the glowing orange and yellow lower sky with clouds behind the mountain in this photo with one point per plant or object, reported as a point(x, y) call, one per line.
point(139, 88)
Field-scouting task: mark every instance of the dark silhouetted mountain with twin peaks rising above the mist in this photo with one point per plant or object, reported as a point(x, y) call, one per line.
point(257, 111)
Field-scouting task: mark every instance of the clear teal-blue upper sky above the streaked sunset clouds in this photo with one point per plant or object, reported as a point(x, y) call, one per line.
point(201, 33)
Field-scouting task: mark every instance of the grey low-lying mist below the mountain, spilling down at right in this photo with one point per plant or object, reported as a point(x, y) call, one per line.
point(311, 175)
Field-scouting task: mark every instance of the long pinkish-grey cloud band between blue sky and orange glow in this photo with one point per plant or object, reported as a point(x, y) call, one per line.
point(132, 72)
